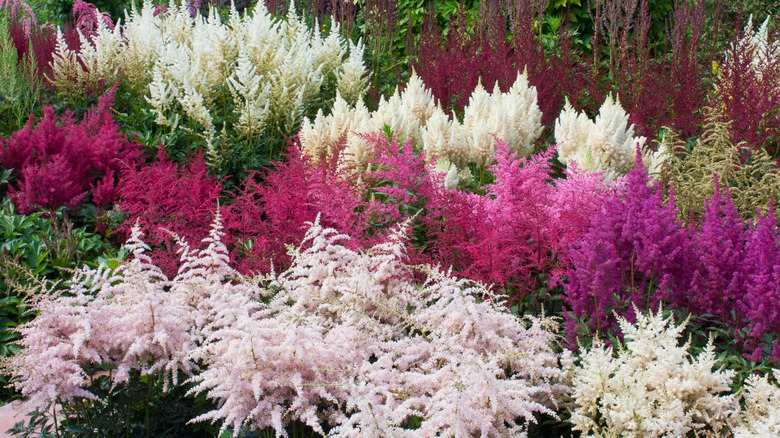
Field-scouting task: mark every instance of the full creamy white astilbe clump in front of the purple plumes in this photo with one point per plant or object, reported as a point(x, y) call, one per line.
point(650, 387)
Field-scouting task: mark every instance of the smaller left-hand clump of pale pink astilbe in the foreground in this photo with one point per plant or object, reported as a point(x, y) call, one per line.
point(126, 319)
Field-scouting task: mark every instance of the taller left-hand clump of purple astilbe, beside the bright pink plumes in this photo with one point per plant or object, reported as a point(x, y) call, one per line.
point(635, 243)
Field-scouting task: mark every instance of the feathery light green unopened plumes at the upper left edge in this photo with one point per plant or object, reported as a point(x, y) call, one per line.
point(19, 88)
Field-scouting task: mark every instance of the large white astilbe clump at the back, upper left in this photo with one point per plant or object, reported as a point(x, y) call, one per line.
point(271, 70)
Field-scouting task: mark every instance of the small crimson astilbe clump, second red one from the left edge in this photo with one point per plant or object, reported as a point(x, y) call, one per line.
point(162, 198)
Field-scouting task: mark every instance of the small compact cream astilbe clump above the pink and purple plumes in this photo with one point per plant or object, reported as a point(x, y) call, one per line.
point(605, 145)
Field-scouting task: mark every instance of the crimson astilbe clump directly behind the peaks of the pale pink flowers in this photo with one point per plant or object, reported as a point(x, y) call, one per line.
point(264, 219)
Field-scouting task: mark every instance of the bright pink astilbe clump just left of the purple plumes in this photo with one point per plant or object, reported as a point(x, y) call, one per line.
point(525, 223)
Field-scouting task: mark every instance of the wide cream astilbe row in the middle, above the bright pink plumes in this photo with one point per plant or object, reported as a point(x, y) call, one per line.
point(412, 115)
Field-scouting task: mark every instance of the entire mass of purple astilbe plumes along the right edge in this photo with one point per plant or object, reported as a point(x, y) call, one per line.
point(637, 252)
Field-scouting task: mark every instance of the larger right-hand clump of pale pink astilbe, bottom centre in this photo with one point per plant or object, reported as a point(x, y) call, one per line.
point(351, 340)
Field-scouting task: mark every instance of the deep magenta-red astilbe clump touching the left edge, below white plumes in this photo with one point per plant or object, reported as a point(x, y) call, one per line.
point(58, 161)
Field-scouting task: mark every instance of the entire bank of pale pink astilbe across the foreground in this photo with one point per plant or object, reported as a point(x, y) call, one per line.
point(359, 341)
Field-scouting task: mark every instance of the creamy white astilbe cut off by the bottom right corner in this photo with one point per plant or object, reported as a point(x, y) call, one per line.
point(761, 416)
